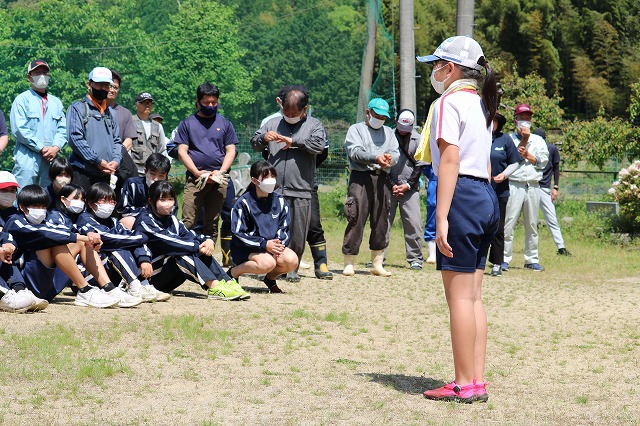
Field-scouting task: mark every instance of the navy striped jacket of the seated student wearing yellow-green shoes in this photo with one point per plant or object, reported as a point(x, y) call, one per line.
point(167, 235)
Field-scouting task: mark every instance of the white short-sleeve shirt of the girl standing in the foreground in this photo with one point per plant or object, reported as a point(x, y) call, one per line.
point(459, 119)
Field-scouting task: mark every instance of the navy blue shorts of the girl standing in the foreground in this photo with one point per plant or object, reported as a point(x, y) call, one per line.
point(474, 217)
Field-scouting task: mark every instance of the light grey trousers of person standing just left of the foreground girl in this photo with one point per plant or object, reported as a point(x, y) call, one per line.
point(410, 214)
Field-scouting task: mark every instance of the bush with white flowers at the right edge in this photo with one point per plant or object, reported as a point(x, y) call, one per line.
point(626, 191)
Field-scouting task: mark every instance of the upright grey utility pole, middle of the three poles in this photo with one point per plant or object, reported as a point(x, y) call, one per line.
point(407, 57)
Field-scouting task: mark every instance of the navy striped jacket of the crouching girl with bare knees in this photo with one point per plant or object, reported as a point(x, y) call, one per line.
point(254, 221)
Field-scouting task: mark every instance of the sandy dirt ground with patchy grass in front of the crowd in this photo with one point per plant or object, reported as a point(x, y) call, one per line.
point(360, 350)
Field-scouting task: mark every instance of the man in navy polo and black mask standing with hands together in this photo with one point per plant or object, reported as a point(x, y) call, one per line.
point(207, 147)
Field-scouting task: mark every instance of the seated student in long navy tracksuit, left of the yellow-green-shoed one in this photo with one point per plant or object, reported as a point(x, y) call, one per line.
point(127, 257)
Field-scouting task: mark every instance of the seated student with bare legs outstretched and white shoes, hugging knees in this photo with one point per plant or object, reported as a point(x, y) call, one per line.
point(46, 248)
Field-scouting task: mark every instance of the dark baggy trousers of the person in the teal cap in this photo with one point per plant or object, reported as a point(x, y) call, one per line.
point(368, 197)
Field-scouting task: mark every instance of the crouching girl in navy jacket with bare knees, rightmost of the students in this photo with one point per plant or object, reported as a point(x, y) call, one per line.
point(259, 242)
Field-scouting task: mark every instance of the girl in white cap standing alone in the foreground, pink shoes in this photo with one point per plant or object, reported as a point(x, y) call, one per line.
point(467, 213)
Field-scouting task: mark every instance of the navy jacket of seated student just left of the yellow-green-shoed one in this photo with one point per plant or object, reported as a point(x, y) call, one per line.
point(115, 236)
